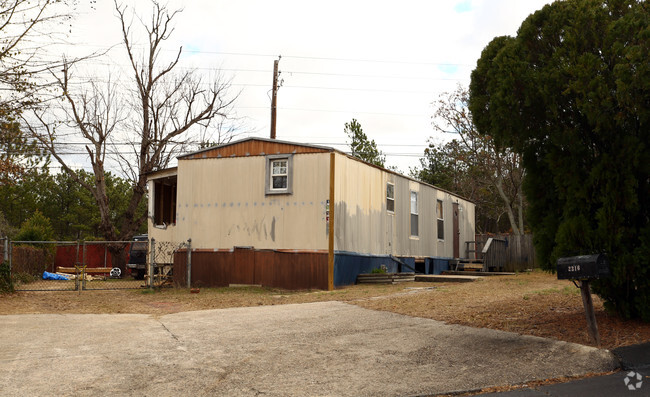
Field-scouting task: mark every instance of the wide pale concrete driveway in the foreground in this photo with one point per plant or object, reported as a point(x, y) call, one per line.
point(318, 349)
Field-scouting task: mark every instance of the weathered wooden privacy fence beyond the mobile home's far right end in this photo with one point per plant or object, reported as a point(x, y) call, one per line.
point(519, 252)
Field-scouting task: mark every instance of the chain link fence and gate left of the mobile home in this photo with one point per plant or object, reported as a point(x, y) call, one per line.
point(89, 265)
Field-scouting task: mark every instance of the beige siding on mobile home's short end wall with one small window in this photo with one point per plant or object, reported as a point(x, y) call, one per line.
point(222, 203)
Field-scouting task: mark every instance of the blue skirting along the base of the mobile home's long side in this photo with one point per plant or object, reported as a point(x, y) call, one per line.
point(348, 265)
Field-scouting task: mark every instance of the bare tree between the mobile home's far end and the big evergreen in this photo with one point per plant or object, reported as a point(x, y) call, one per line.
point(500, 168)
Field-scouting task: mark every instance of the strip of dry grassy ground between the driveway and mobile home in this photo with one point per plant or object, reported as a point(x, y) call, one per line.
point(528, 303)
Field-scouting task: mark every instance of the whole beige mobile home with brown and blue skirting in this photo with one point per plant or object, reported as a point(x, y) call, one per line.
point(294, 215)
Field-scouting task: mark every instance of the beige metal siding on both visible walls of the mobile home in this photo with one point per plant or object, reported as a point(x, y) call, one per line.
point(221, 204)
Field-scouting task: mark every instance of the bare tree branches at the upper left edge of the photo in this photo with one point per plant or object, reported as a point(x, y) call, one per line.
point(25, 27)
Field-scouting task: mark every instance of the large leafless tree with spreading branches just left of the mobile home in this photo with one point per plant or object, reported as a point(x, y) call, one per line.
point(165, 104)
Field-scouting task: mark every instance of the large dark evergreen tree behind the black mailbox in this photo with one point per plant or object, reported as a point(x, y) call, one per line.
point(571, 93)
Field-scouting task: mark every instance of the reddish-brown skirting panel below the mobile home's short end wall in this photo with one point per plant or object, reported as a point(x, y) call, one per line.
point(269, 268)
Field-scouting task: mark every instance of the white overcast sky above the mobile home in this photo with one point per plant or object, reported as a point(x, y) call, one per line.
point(381, 62)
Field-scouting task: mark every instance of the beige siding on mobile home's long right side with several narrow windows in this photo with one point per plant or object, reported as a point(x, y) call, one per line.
point(363, 224)
